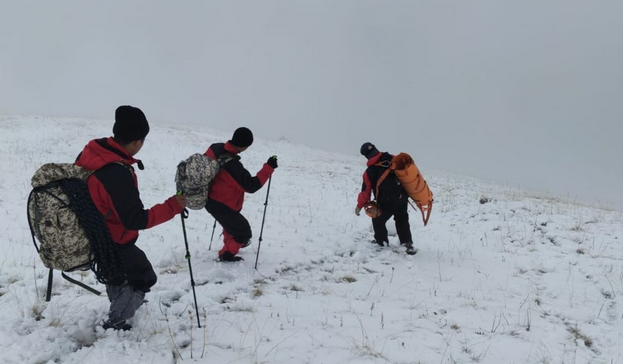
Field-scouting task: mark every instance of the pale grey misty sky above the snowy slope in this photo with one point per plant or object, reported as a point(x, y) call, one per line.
point(528, 93)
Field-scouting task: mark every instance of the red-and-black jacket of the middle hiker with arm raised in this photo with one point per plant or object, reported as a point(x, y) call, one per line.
point(233, 180)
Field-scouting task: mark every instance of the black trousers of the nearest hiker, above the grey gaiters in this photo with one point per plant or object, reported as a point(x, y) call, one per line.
point(139, 272)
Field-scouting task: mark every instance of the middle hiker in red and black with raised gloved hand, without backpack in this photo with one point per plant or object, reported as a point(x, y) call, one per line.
point(226, 194)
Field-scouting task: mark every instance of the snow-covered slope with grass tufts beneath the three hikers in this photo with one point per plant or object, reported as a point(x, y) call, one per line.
point(516, 279)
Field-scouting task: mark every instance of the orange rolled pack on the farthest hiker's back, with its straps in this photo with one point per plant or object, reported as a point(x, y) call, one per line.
point(412, 181)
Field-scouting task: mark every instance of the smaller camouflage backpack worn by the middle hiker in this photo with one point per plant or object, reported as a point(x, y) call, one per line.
point(194, 175)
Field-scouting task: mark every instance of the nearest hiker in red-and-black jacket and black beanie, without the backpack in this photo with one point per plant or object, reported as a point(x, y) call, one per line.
point(114, 190)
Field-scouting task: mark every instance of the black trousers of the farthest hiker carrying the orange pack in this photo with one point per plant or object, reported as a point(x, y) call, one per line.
point(397, 209)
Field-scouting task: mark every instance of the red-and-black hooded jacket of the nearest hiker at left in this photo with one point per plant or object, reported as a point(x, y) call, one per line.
point(114, 190)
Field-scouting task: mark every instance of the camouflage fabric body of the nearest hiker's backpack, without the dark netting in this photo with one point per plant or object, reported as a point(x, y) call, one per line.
point(63, 242)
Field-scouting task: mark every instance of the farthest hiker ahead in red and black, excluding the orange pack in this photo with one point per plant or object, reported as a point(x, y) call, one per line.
point(391, 197)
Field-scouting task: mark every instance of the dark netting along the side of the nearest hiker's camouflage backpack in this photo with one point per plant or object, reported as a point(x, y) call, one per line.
point(107, 266)
